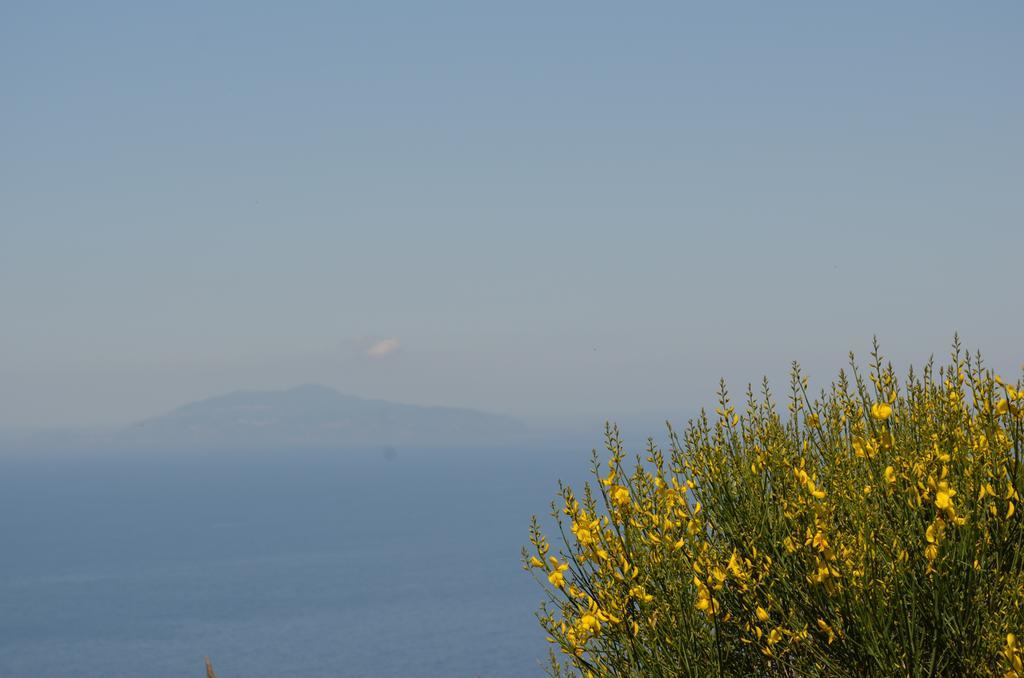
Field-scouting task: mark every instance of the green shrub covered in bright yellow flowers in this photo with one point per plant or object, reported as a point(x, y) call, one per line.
point(872, 530)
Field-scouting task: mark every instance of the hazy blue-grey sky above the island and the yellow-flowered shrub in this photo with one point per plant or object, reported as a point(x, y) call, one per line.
point(567, 213)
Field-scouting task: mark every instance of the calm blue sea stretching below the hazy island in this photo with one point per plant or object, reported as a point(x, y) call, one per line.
point(288, 565)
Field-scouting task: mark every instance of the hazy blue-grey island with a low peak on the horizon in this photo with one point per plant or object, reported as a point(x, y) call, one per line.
point(309, 416)
